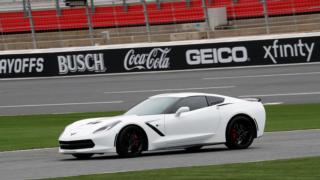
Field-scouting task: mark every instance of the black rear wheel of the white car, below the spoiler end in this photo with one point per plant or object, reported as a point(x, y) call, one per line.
point(240, 132)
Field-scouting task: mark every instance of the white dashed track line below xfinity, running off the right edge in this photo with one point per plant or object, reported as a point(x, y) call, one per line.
point(261, 75)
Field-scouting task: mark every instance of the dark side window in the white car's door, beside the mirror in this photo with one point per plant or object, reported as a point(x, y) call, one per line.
point(194, 102)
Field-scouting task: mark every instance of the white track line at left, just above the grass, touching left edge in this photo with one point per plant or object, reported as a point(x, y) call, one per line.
point(60, 104)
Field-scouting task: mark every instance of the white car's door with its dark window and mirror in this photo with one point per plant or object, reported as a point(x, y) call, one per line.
point(194, 127)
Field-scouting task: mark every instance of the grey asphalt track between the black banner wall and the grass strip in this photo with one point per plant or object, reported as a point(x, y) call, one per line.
point(284, 84)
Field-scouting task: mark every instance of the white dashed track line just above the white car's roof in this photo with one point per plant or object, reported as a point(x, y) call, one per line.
point(162, 90)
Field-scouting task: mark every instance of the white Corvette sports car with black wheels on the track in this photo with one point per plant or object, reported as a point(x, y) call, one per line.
point(178, 120)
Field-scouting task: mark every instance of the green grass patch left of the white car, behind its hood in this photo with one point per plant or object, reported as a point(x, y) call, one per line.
point(38, 131)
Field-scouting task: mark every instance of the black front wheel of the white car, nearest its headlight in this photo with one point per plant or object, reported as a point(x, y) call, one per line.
point(131, 141)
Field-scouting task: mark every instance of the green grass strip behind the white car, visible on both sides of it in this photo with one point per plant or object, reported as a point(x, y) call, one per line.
point(41, 131)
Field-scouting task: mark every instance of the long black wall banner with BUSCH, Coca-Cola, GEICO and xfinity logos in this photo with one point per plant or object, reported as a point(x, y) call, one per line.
point(162, 58)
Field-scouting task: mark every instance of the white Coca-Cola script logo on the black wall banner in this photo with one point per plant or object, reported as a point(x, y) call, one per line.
point(154, 60)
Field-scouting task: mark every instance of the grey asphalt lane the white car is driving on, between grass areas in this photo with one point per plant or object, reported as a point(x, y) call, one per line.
point(48, 163)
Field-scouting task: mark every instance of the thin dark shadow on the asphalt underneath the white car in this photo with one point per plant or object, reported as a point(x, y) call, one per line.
point(154, 153)
